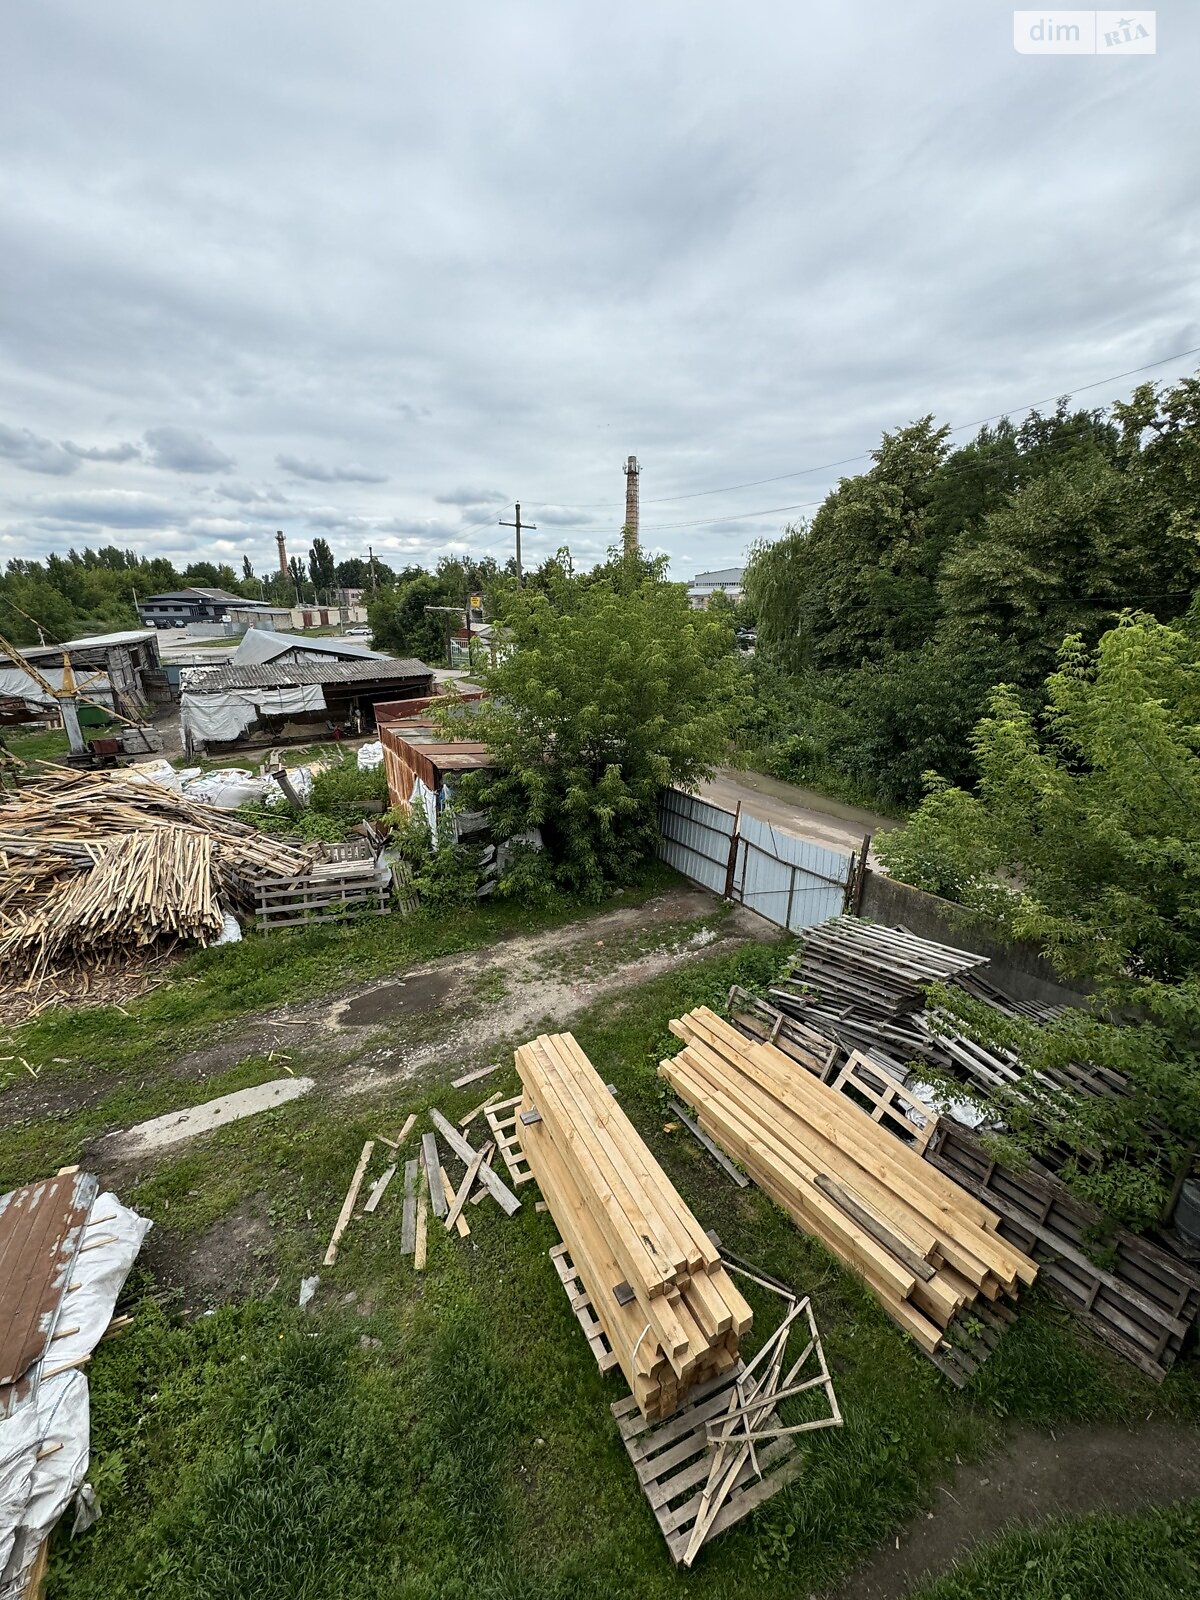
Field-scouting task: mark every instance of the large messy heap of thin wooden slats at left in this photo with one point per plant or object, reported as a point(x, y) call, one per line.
point(105, 873)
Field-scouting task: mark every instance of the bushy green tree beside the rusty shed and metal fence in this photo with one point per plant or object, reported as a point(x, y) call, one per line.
point(596, 706)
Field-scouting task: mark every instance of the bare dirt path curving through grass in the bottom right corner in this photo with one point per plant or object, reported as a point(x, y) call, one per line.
point(1039, 1476)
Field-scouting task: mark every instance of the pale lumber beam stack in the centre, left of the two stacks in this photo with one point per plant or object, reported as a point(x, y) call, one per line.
point(657, 1282)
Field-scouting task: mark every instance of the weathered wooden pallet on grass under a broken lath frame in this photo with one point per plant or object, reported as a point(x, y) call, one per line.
point(673, 1463)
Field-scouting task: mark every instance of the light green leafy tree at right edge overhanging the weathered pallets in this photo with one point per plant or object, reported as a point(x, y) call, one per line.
point(1086, 838)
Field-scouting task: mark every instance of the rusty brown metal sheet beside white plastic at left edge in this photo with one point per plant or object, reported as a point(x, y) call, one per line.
point(41, 1231)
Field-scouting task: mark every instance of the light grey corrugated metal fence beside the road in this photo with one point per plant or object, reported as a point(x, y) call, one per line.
point(785, 879)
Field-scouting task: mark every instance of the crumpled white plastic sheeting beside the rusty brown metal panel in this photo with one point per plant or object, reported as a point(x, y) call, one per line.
point(34, 1492)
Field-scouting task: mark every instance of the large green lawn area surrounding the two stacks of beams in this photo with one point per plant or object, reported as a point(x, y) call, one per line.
point(449, 1434)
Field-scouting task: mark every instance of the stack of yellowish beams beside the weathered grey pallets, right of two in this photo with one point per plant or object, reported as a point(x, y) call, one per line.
point(927, 1249)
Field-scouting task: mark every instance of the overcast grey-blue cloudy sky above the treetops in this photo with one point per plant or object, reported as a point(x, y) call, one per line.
point(375, 271)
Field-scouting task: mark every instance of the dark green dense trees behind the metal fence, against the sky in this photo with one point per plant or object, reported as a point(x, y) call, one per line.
point(938, 574)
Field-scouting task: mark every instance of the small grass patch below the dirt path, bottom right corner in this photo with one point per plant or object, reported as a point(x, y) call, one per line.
point(1154, 1556)
